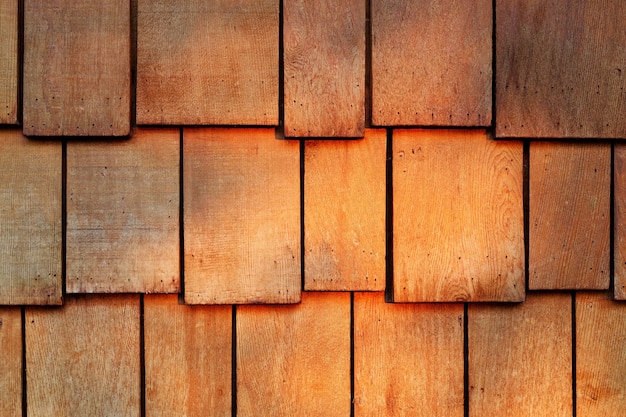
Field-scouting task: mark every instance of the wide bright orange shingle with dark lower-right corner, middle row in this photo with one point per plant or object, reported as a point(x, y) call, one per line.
point(458, 217)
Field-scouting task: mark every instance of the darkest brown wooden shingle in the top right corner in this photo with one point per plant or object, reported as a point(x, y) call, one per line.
point(560, 69)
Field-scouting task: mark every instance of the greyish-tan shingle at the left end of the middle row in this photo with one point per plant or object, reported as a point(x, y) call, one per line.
point(30, 220)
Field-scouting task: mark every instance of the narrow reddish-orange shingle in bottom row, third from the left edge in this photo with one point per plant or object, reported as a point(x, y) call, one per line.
point(188, 358)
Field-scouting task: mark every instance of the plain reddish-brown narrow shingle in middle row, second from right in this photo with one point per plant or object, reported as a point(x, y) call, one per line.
point(569, 236)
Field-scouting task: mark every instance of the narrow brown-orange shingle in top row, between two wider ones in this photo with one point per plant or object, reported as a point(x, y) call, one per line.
point(324, 45)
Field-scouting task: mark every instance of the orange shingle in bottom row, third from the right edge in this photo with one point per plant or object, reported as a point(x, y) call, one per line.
point(408, 358)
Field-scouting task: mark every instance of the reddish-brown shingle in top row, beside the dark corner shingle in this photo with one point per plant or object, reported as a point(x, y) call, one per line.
point(431, 63)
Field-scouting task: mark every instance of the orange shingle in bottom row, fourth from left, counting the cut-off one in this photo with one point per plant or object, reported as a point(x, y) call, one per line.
point(295, 360)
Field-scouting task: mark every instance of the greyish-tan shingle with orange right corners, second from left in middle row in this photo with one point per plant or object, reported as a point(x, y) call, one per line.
point(123, 214)
